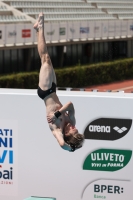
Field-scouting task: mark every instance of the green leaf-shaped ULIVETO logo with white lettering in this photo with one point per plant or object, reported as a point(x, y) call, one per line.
point(107, 160)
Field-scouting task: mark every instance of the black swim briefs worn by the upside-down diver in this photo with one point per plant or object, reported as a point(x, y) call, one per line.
point(42, 94)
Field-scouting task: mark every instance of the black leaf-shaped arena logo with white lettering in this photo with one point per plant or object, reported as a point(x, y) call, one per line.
point(107, 129)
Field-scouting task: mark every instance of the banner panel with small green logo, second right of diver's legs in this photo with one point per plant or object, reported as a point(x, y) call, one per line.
point(63, 31)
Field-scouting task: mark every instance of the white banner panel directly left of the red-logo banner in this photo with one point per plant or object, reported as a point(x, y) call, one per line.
point(19, 29)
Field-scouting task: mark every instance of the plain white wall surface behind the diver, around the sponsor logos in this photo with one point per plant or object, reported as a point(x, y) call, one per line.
point(44, 169)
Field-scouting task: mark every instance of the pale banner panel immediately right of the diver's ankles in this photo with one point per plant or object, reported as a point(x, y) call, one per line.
point(48, 31)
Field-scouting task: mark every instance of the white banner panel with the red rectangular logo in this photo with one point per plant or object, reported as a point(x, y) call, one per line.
point(27, 33)
